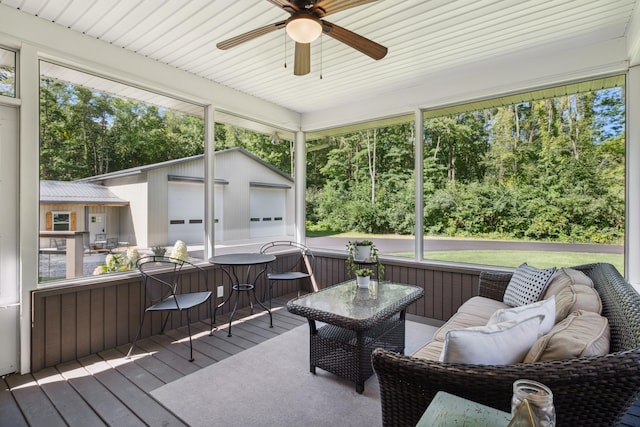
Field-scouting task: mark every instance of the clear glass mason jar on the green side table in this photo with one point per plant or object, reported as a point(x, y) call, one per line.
point(540, 400)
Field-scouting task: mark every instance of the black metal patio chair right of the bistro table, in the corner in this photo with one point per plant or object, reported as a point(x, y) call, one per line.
point(289, 268)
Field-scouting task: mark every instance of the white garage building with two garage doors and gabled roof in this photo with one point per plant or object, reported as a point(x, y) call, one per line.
point(253, 200)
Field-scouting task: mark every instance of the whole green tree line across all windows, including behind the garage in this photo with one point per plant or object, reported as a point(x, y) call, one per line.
point(550, 169)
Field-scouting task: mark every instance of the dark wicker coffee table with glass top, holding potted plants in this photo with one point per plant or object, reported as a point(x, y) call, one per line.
point(356, 321)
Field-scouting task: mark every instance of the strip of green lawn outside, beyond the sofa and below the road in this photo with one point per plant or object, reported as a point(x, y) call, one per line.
point(538, 259)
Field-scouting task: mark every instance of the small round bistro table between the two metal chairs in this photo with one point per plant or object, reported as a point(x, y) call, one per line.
point(233, 265)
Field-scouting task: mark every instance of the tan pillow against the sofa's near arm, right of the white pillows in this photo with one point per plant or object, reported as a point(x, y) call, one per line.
point(581, 334)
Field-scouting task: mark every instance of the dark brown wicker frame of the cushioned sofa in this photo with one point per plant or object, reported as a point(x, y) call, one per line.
point(588, 391)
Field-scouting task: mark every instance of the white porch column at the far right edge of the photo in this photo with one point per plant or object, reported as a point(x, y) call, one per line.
point(632, 232)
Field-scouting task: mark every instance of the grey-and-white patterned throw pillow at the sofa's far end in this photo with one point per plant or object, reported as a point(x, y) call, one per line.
point(527, 285)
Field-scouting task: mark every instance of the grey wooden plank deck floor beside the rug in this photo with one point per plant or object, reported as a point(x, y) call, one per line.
point(106, 389)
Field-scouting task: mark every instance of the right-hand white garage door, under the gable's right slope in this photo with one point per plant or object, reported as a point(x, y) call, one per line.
point(267, 212)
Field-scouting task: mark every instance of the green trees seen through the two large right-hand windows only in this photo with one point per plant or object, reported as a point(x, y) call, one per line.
point(550, 169)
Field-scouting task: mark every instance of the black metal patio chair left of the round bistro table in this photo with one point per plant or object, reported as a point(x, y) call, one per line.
point(161, 279)
